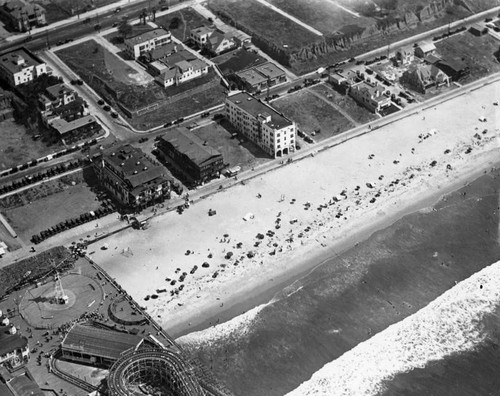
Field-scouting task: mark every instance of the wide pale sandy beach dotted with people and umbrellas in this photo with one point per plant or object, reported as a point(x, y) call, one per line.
point(315, 208)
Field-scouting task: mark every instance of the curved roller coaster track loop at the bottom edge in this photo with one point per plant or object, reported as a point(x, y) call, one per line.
point(186, 382)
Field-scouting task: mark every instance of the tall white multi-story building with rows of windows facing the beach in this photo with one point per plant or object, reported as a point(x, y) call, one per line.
point(262, 124)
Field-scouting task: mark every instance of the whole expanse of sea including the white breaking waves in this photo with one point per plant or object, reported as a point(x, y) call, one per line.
point(367, 292)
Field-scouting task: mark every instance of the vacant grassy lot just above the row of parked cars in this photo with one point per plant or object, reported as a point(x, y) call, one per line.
point(46, 212)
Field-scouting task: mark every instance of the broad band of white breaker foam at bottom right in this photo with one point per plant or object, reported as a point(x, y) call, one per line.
point(449, 324)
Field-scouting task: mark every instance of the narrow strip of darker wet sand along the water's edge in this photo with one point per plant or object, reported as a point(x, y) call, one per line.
point(261, 293)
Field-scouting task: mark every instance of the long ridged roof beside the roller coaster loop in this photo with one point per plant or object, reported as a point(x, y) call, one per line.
point(98, 342)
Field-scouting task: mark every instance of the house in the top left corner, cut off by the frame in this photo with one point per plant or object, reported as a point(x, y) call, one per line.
point(22, 16)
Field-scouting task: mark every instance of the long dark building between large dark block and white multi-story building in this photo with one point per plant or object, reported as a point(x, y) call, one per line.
point(197, 161)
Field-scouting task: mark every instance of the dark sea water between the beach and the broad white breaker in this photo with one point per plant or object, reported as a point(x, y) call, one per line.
point(357, 294)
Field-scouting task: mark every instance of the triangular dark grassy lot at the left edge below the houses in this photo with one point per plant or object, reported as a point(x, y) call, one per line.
point(18, 147)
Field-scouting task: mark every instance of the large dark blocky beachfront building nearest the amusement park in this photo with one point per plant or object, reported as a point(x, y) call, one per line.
point(131, 177)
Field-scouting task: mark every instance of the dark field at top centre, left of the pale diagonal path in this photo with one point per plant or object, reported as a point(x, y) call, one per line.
point(257, 19)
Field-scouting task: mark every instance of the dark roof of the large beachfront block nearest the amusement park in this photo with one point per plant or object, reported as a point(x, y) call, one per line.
point(133, 165)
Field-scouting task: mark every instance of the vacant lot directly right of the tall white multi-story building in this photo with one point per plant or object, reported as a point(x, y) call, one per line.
point(310, 113)
